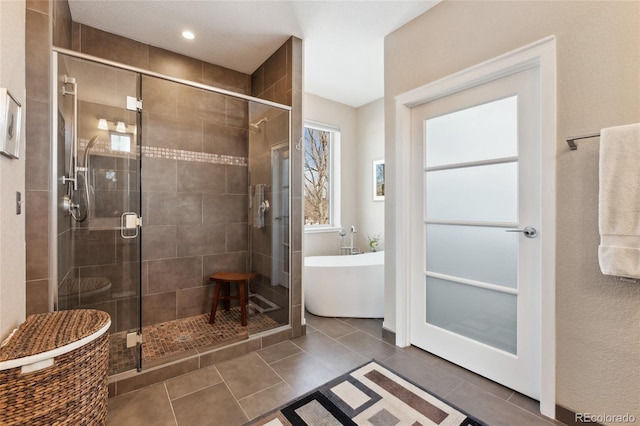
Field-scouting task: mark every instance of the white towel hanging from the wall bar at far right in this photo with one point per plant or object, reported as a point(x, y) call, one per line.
point(619, 202)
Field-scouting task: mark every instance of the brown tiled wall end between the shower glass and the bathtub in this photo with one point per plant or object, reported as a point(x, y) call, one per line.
point(279, 79)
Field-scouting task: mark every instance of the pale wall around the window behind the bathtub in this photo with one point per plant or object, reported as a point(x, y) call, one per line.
point(362, 141)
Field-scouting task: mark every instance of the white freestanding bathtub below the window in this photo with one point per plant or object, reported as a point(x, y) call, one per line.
point(345, 286)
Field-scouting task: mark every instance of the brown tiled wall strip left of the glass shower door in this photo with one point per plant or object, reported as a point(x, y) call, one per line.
point(45, 22)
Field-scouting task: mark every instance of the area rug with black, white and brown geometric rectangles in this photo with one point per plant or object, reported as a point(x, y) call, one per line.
point(369, 395)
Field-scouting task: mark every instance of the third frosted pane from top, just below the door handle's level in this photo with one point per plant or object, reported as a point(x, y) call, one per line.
point(476, 253)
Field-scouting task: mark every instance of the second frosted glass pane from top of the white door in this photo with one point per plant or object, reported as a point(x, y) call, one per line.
point(481, 193)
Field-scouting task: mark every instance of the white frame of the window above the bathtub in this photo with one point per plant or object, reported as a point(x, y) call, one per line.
point(334, 178)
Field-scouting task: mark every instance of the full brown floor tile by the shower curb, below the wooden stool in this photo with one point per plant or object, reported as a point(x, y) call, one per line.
point(247, 374)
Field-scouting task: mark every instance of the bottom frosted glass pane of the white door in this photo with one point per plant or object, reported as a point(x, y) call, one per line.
point(483, 315)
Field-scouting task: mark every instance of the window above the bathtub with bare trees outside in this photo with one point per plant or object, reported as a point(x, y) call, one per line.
point(321, 177)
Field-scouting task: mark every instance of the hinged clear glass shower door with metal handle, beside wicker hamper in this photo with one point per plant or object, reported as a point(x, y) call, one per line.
point(98, 169)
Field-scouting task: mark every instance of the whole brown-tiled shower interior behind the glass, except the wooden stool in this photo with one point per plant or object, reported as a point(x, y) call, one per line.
point(156, 191)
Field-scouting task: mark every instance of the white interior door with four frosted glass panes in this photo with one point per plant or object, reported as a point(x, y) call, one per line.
point(475, 290)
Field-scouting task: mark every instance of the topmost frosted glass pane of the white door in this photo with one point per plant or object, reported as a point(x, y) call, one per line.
point(482, 132)
